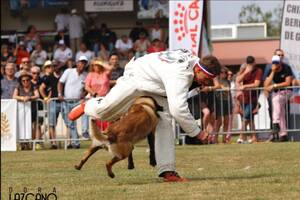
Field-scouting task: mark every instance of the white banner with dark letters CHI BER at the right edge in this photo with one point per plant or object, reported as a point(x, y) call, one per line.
point(290, 34)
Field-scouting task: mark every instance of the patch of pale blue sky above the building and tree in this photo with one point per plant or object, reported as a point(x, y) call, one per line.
point(227, 11)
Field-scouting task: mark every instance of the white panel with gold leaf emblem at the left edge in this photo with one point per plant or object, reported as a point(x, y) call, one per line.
point(8, 125)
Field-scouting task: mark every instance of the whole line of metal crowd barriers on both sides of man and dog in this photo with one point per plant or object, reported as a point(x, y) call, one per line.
point(233, 104)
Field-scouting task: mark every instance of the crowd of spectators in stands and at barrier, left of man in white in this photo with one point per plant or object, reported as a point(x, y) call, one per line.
point(83, 62)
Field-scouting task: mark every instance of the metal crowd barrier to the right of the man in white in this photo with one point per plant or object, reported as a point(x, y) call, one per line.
point(235, 107)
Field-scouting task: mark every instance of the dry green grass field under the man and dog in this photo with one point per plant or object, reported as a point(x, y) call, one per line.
point(256, 171)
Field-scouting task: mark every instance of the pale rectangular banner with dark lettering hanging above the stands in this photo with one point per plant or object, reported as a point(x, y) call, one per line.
point(108, 5)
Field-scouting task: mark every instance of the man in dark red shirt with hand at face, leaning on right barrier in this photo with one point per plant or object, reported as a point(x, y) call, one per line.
point(249, 78)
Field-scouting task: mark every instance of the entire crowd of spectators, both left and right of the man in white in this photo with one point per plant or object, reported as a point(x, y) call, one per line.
point(85, 61)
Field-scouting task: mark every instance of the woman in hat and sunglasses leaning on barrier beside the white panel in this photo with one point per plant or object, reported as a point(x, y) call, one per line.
point(25, 92)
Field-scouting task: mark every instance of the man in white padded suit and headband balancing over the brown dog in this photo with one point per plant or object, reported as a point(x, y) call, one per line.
point(166, 76)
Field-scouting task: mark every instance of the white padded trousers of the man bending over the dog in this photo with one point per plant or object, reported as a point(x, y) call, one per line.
point(117, 102)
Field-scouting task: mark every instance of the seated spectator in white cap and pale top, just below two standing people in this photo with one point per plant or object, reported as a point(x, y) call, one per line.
point(62, 54)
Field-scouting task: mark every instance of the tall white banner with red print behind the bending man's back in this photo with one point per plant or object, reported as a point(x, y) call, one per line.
point(185, 21)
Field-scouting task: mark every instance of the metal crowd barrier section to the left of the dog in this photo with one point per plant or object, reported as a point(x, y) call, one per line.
point(55, 126)
